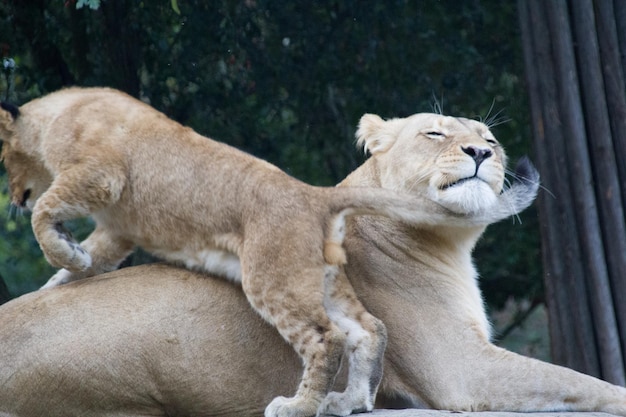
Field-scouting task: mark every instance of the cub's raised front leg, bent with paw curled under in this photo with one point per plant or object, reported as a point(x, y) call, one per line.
point(73, 194)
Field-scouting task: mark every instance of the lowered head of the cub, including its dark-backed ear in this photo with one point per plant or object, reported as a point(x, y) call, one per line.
point(28, 178)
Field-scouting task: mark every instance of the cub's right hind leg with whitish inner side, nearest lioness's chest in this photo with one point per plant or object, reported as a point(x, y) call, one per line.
point(366, 339)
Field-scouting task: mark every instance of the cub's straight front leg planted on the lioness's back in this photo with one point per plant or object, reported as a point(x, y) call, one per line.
point(106, 251)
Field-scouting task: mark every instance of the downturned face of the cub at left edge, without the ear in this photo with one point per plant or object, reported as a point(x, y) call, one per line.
point(28, 179)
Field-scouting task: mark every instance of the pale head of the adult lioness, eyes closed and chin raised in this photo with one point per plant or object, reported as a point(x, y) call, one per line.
point(454, 161)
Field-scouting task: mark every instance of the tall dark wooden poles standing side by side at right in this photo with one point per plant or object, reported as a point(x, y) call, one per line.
point(576, 88)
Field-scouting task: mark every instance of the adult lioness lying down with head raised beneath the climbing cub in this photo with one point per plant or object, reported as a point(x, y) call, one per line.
point(156, 340)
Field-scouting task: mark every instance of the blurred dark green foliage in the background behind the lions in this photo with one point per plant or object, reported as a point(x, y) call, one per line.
point(286, 81)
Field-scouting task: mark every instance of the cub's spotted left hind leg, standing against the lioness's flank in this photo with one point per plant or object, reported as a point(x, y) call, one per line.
point(293, 303)
